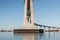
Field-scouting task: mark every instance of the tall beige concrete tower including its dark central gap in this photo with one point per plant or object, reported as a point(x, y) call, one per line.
point(28, 15)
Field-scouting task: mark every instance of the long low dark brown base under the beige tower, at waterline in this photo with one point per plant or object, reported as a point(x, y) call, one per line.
point(28, 30)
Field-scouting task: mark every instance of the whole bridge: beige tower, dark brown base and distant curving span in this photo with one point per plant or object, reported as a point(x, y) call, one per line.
point(29, 25)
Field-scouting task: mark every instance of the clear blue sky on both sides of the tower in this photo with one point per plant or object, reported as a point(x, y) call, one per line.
point(46, 12)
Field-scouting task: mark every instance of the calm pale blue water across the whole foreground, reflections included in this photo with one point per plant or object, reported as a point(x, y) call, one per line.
point(29, 36)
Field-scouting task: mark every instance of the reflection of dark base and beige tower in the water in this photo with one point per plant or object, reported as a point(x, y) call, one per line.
point(28, 36)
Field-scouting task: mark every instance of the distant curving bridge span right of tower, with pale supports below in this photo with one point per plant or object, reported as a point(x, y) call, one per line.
point(50, 28)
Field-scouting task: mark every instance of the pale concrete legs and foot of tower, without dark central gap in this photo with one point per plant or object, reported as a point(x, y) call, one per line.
point(26, 23)
